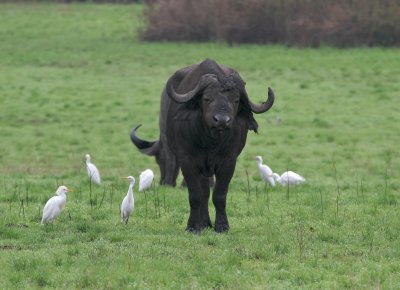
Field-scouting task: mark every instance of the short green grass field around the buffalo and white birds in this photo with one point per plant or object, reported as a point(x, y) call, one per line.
point(75, 79)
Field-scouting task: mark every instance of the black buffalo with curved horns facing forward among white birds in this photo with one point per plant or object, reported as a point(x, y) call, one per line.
point(204, 118)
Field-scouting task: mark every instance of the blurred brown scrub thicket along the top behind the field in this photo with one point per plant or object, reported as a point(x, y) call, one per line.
point(291, 22)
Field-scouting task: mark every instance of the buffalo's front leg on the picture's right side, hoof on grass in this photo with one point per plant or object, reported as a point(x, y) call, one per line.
point(223, 177)
